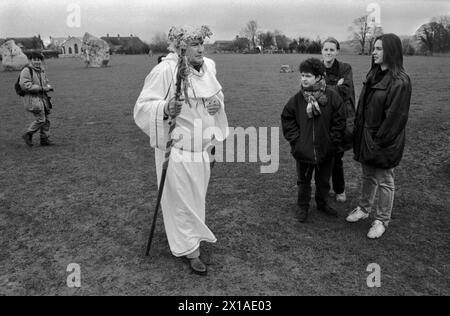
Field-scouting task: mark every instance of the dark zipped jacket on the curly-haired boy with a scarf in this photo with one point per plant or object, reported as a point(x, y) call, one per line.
point(314, 140)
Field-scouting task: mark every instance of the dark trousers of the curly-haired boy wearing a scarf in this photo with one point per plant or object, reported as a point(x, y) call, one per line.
point(322, 174)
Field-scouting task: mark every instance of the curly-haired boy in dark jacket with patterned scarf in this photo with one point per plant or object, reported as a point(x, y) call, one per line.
point(314, 123)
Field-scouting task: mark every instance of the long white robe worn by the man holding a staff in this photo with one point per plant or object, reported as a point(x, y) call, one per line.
point(183, 200)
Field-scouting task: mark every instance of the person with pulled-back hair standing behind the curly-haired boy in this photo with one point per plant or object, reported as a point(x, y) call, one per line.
point(339, 76)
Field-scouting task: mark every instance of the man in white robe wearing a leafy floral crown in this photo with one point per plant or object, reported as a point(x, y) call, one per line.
point(201, 121)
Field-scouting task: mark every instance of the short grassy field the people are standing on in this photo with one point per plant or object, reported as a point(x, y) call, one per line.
point(89, 200)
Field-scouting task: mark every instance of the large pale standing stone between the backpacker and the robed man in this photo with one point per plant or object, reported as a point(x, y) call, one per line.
point(95, 51)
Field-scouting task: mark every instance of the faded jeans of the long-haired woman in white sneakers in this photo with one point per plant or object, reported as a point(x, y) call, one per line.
point(382, 181)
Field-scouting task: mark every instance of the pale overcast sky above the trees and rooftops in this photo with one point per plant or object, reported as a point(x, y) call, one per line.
point(226, 18)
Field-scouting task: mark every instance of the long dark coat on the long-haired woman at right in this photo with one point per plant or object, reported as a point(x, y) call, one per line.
point(380, 123)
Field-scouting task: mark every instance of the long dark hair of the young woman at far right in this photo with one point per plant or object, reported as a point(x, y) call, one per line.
point(392, 55)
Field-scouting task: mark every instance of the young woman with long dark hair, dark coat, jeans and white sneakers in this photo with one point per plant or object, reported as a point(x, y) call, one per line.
point(380, 131)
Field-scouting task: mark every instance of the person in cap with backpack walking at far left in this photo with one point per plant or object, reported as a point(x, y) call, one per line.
point(34, 82)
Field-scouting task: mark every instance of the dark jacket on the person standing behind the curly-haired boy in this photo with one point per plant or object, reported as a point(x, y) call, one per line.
point(338, 71)
